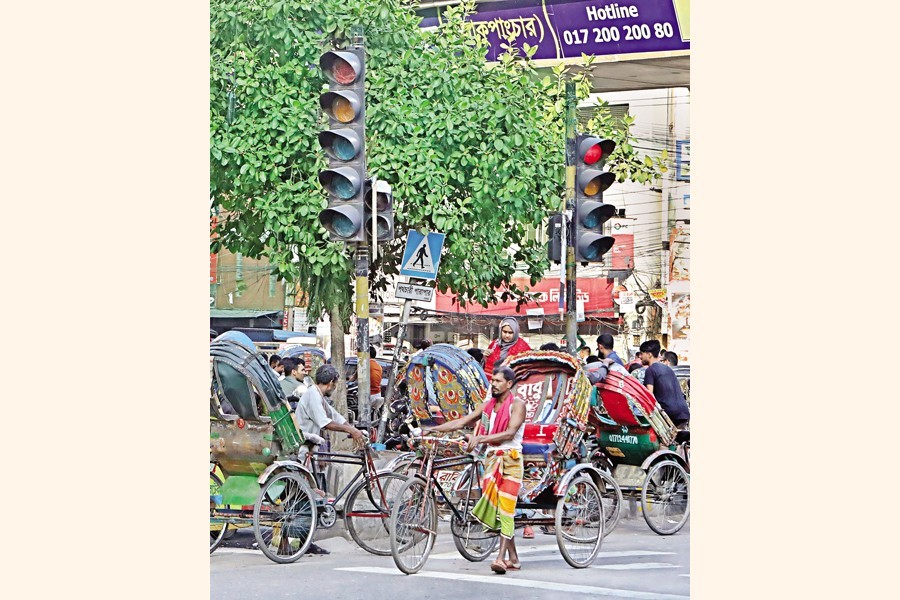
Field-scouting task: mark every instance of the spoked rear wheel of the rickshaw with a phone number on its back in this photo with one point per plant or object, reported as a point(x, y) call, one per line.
point(665, 497)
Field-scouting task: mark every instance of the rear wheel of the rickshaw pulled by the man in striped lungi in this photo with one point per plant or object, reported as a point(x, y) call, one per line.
point(579, 522)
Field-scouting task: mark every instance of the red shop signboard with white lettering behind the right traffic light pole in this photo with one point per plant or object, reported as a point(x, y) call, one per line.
point(596, 294)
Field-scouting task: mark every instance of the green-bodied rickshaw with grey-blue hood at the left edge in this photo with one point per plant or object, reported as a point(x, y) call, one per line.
point(271, 478)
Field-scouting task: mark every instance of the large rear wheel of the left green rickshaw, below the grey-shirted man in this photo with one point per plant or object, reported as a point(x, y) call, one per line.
point(284, 517)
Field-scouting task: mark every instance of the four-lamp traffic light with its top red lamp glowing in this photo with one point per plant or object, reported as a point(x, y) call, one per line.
point(590, 211)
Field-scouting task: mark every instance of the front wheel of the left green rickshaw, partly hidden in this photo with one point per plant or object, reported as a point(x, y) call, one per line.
point(367, 513)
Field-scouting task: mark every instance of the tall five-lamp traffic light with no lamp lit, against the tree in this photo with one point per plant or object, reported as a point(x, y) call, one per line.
point(345, 144)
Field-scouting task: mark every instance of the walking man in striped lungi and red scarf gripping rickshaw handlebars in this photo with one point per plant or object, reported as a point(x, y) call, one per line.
point(500, 425)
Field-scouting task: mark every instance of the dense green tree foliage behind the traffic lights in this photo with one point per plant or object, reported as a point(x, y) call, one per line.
point(473, 150)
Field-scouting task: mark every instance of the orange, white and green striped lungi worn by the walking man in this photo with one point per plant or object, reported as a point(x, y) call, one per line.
point(499, 491)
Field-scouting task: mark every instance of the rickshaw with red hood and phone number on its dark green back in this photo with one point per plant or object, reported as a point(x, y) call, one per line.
point(642, 449)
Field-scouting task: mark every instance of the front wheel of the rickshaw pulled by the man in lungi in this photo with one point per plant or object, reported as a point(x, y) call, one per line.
point(413, 526)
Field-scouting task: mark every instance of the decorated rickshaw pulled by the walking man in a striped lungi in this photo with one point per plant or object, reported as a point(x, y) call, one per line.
point(557, 397)
